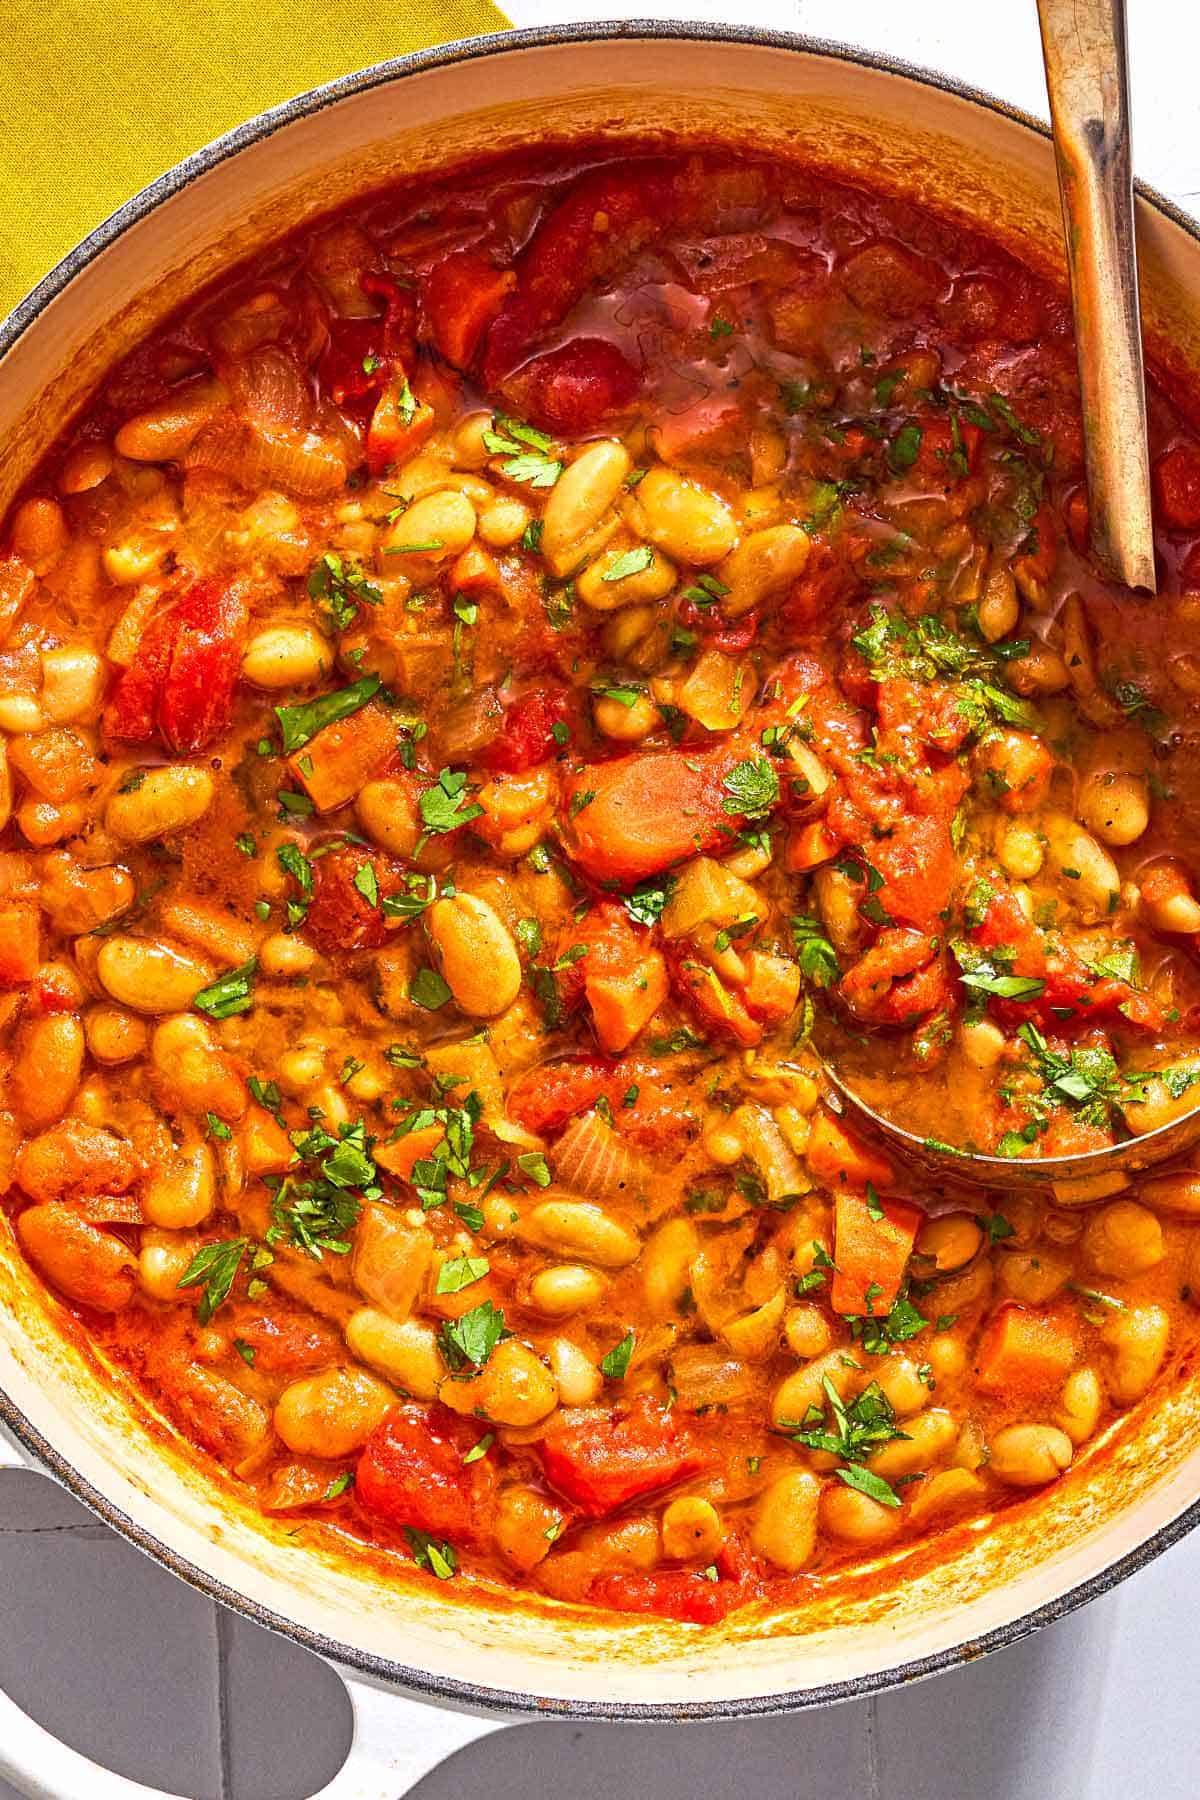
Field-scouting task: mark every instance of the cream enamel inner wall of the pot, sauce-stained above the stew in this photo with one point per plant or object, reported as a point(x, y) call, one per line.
point(938, 147)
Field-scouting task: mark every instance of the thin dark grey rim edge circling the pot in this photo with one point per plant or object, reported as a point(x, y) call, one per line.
point(420, 1682)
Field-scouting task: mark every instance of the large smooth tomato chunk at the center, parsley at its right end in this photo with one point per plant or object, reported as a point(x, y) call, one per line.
point(640, 814)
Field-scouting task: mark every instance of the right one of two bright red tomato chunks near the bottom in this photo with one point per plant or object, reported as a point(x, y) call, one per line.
point(604, 1461)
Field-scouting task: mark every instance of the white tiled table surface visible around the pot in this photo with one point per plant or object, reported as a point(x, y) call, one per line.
point(132, 1668)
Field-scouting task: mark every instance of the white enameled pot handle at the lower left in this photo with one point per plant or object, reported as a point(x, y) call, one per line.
point(397, 1740)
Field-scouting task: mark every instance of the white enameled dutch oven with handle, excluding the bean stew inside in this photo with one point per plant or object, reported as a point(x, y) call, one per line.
point(983, 1585)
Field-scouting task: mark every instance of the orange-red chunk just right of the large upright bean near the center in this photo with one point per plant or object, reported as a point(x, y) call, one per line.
point(620, 973)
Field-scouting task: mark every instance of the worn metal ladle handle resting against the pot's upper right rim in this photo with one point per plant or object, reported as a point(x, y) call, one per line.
point(1086, 71)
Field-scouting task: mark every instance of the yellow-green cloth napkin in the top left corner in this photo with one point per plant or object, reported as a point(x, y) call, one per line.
point(102, 96)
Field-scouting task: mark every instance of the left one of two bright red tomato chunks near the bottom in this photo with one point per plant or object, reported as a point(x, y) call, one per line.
point(413, 1473)
